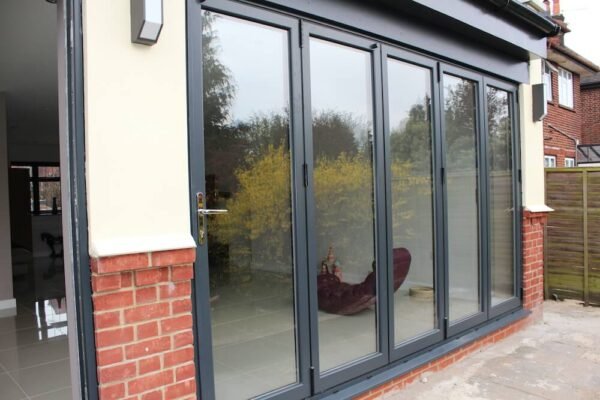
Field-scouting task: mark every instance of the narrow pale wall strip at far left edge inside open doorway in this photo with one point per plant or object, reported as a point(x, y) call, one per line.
point(6, 288)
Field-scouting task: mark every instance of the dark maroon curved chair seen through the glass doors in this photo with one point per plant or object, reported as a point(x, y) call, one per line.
point(337, 297)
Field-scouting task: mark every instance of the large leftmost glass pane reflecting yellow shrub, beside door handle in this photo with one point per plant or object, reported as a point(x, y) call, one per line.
point(247, 158)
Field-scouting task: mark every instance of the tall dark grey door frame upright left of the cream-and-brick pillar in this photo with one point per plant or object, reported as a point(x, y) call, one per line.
point(71, 111)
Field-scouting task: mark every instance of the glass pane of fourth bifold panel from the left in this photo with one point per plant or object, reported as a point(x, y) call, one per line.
point(462, 193)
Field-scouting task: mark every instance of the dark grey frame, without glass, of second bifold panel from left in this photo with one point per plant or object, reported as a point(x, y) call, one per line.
point(348, 371)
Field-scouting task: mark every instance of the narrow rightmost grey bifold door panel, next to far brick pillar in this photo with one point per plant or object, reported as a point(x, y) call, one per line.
point(504, 236)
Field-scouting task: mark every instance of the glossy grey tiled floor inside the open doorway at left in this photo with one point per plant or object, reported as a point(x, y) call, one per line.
point(34, 354)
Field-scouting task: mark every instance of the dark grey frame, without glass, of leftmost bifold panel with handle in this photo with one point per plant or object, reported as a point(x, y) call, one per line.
point(203, 337)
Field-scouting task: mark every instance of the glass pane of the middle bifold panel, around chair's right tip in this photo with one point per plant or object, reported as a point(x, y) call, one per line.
point(409, 97)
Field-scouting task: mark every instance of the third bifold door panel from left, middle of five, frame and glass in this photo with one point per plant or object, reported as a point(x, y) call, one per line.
point(414, 199)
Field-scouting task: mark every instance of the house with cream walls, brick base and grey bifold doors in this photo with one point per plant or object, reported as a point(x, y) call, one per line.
point(282, 199)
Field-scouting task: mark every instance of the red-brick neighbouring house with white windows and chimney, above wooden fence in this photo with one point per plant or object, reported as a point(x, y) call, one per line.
point(564, 70)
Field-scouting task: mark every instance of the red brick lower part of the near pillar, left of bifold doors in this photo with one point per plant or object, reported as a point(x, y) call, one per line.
point(143, 325)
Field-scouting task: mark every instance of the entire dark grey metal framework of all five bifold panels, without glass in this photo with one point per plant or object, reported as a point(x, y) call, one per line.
point(388, 357)
